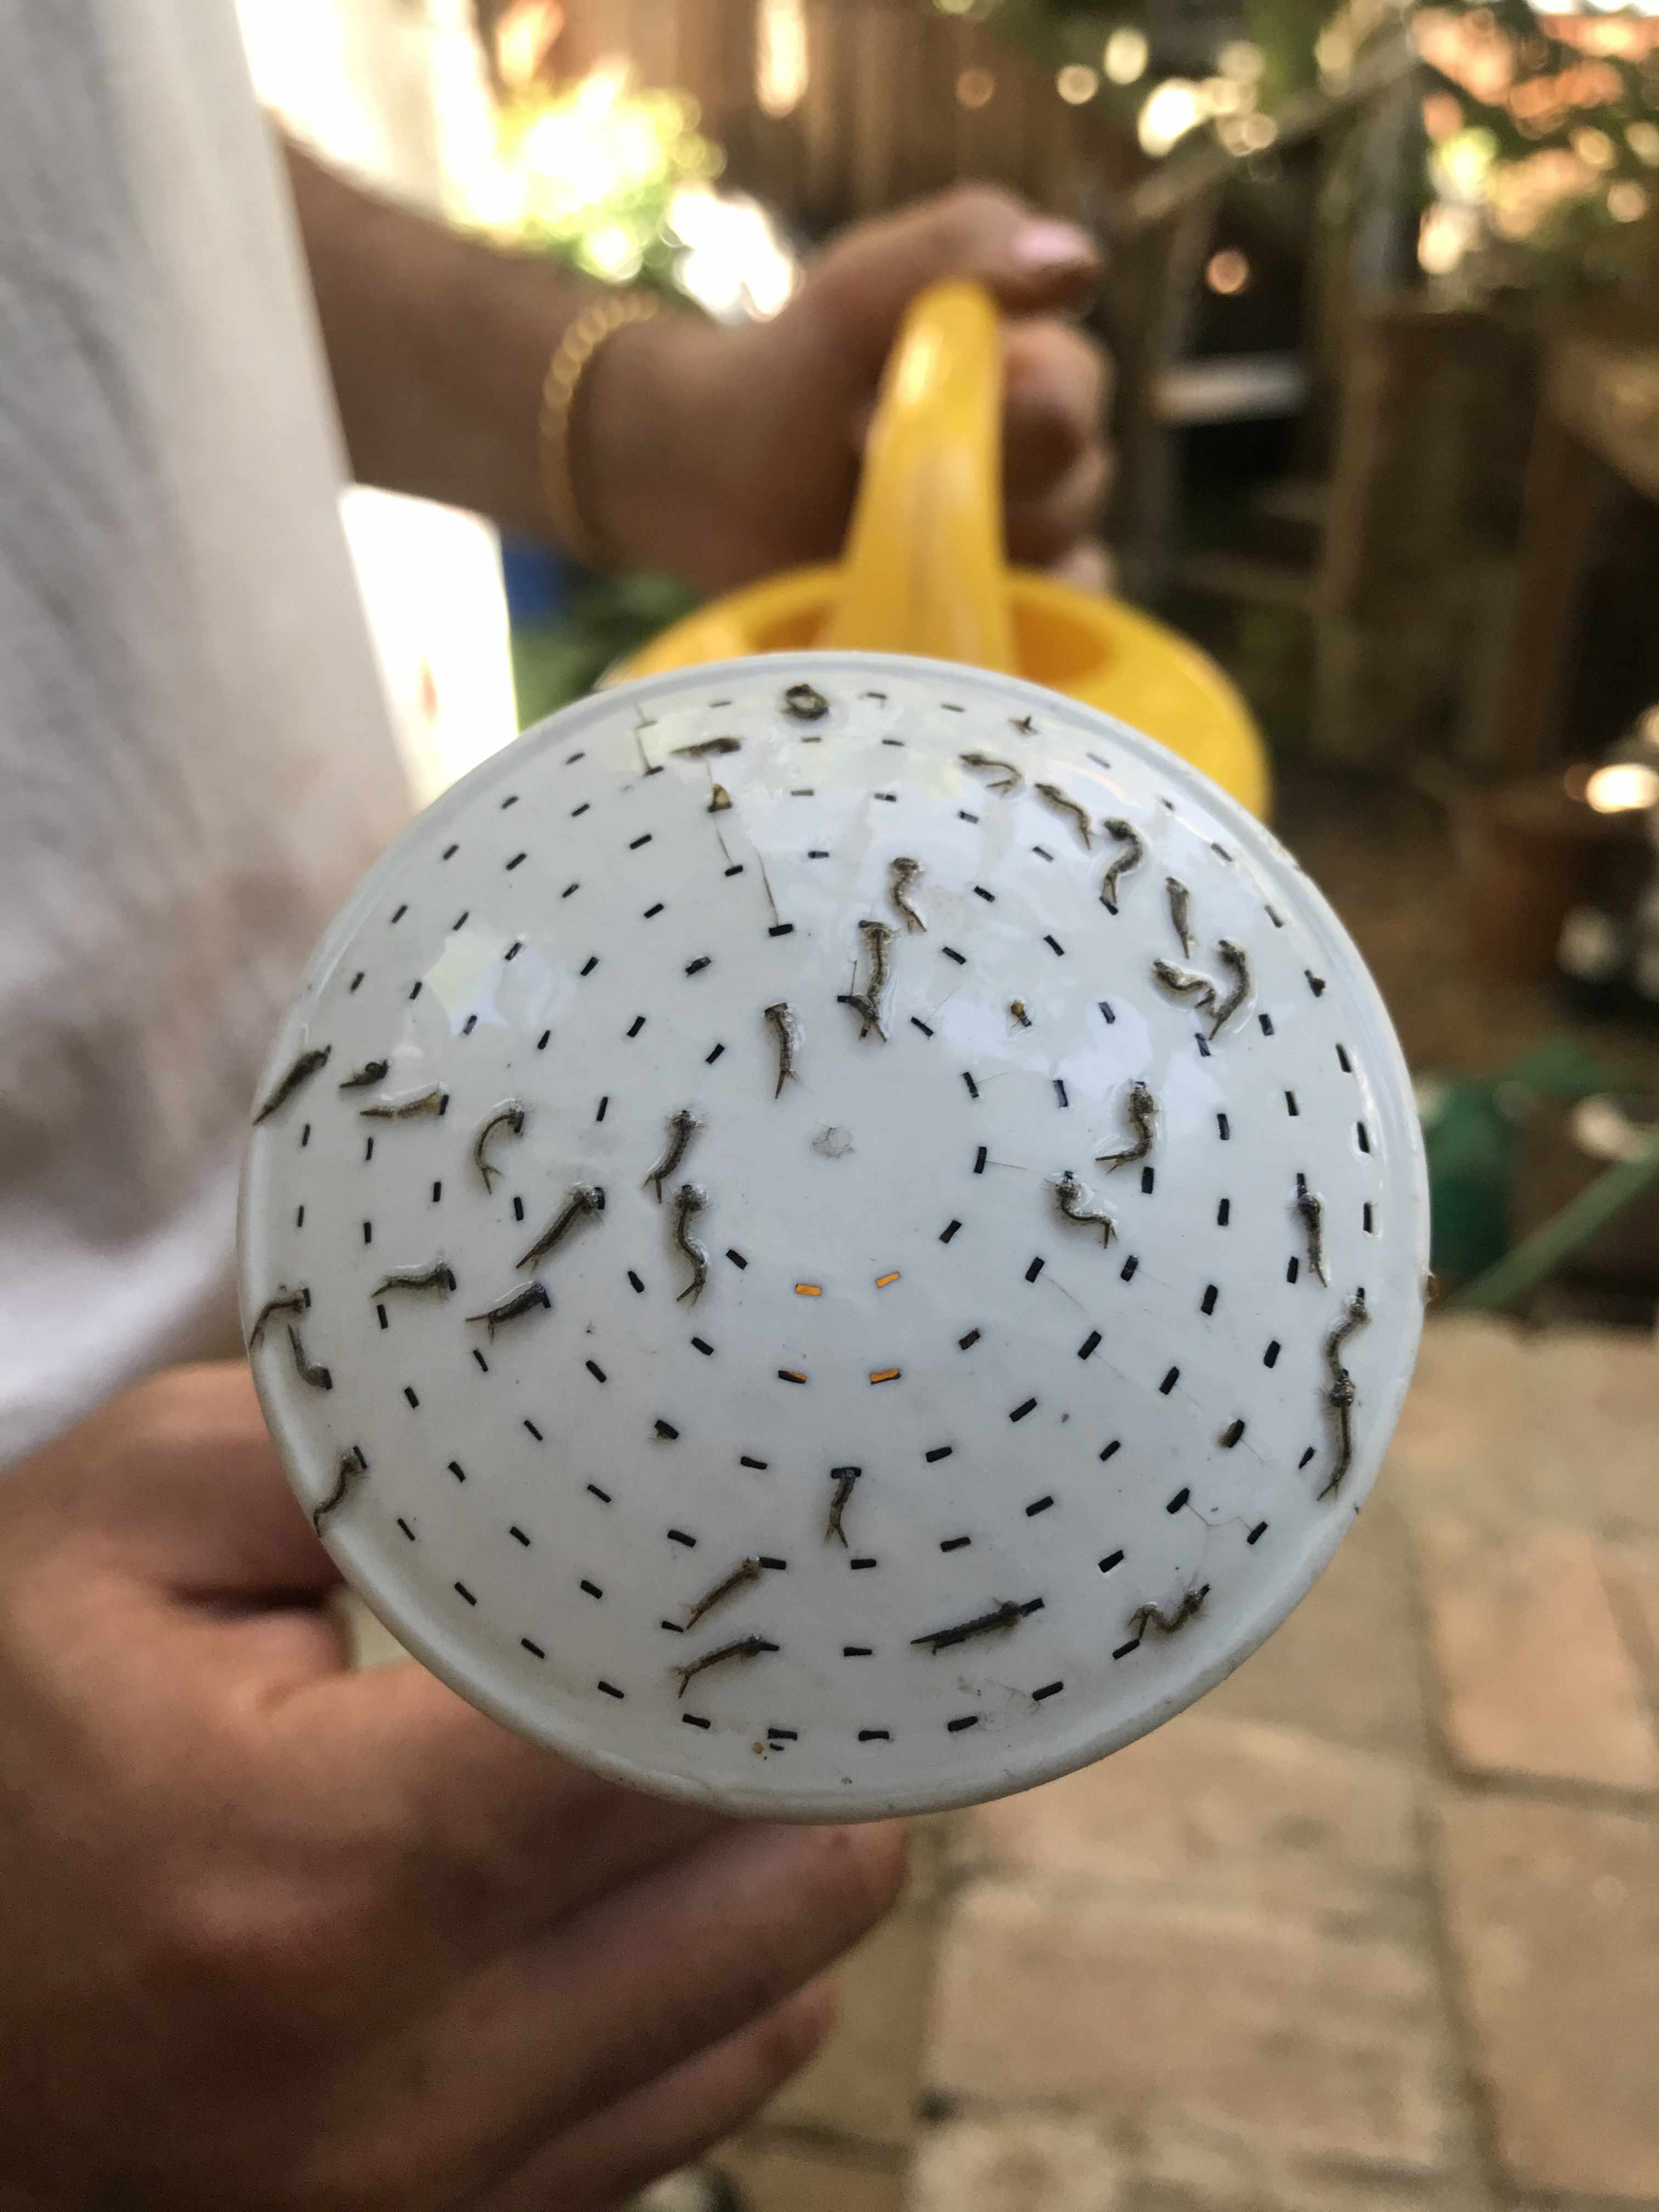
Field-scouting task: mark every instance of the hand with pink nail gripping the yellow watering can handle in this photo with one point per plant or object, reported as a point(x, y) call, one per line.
point(727, 455)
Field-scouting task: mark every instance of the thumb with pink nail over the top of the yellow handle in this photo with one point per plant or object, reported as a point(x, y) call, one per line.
point(1030, 264)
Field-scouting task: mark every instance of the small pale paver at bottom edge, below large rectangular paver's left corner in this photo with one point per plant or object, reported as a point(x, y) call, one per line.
point(1016, 2162)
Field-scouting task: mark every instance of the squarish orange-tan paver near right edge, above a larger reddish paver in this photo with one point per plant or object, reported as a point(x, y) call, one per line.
point(1532, 1667)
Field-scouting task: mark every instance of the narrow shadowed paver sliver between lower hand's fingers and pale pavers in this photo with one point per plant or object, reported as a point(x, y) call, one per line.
point(866, 2076)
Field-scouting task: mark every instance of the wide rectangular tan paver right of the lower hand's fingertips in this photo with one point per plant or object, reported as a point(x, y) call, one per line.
point(1145, 2010)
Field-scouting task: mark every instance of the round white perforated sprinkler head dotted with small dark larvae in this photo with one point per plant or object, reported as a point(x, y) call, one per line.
point(954, 1474)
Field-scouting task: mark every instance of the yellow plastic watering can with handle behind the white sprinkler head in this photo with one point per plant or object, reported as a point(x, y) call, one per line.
point(926, 572)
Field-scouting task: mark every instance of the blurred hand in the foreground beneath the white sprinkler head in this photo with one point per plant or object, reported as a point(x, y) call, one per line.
point(286, 1937)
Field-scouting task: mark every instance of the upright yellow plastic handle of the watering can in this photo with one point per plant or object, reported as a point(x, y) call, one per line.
point(924, 567)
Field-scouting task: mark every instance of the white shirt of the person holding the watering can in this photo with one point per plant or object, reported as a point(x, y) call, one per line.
point(196, 758)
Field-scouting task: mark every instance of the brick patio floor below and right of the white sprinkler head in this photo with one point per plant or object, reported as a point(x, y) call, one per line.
point(1370, 1930)
